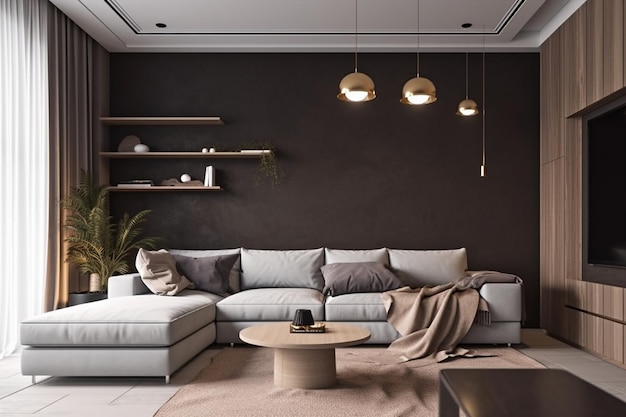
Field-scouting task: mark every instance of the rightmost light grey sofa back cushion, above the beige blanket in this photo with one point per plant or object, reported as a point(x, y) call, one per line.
point(417, 268)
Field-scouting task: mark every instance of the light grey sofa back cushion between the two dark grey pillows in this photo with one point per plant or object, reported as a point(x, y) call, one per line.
point(283, 269)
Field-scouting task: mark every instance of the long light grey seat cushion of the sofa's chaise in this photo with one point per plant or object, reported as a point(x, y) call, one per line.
point(140, 320)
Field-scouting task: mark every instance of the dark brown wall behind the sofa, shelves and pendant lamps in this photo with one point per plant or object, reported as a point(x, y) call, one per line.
point(360, 175)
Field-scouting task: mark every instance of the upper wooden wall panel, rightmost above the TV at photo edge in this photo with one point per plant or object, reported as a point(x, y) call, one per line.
point(613, 45)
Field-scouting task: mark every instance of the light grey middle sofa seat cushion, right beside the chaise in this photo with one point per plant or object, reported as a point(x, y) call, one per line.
point(270, 304)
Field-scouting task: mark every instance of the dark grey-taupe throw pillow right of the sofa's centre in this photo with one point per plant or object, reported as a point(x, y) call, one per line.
point(346, 278)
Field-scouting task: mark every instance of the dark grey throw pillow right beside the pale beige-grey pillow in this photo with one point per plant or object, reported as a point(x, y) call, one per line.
point(208, 273)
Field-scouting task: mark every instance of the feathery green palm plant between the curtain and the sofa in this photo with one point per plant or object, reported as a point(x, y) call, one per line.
point(97, 245)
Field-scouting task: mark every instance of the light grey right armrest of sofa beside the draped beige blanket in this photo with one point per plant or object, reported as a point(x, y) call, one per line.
point(504, 300)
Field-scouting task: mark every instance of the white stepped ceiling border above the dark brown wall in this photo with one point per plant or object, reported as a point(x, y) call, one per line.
point(117, 31)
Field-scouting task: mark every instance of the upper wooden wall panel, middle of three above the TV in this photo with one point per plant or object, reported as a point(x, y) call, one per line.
point(595, 51)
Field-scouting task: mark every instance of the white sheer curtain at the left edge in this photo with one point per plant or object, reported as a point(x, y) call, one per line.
point(23, 164)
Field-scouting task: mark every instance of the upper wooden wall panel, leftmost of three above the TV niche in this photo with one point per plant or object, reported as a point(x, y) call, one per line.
point(573, 53)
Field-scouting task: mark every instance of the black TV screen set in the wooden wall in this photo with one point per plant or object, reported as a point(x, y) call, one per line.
point(606, 188)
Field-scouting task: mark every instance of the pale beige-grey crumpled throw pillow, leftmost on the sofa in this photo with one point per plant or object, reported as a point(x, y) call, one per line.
point(158, 271)
